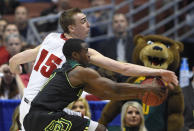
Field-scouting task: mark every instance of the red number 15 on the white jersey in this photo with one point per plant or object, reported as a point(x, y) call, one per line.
point(50, 65)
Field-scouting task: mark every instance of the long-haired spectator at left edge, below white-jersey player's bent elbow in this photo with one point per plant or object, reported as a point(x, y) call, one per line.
point(10, 87)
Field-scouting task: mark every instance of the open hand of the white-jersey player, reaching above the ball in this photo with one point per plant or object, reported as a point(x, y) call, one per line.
point(169, 77)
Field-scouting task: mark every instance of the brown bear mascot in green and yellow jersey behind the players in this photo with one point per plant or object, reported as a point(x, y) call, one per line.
point(159, 52)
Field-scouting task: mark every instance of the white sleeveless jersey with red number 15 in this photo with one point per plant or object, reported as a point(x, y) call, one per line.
point(50, 57)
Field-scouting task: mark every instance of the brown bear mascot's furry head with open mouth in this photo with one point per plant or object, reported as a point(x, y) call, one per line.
point(157, 51)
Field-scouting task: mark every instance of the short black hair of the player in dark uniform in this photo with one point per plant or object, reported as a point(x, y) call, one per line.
point(72, 45)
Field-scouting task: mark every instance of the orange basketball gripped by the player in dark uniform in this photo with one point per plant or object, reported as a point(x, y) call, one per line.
point(150, 98)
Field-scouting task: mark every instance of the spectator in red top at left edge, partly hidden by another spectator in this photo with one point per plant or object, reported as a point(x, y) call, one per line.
point(9, 29)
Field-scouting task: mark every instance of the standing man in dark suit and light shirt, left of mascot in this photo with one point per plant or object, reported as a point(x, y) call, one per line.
point(121, 43)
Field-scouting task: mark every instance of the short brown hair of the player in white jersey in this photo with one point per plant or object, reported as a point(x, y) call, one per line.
point(66, 18)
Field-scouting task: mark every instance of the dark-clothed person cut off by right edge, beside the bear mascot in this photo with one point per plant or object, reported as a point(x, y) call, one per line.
point(189, 106)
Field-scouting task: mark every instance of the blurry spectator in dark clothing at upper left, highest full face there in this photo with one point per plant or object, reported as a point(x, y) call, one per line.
point(21, 20)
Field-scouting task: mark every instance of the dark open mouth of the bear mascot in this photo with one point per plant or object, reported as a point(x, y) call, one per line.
point(156, 61)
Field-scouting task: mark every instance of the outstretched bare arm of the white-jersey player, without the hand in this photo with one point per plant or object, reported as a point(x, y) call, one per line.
point(126, 69)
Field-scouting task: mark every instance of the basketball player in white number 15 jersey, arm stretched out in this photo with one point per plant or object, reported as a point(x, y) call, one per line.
point(48, 56)
